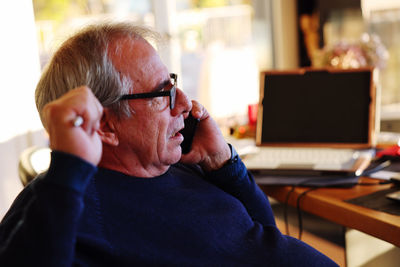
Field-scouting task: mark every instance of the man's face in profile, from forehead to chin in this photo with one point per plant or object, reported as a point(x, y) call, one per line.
point(149, 135)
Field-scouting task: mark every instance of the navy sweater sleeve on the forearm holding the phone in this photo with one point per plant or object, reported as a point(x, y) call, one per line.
point(236, 180)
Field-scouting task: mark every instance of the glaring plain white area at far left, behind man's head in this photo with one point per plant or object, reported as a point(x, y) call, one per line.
point(19, 69)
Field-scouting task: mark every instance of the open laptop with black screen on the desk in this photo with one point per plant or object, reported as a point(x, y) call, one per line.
point(314, 122)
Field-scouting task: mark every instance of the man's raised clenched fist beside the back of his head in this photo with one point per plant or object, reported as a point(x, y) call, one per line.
point(66, 135)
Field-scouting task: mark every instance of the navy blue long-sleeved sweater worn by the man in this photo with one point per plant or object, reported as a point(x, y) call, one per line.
point(77, 214)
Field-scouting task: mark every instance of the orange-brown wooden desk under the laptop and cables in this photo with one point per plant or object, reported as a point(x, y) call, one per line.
point(329, 204)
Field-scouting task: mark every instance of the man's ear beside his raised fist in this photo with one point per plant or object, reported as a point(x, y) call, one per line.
point(107, 131)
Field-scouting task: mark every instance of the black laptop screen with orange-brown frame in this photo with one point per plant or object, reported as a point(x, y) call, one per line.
point(316, 106)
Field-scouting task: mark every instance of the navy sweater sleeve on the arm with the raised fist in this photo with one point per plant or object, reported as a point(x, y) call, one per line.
point(41, 225)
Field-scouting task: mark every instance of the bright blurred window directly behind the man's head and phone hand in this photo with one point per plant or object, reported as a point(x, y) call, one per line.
point(217, 48)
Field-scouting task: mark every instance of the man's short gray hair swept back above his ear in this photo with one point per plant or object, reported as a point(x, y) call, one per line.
point(84, 59)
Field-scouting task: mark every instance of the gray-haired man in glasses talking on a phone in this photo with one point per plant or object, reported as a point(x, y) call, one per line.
point(118, 191)
